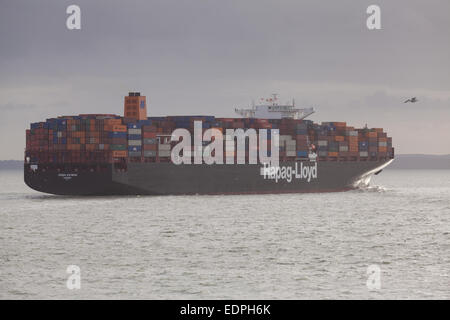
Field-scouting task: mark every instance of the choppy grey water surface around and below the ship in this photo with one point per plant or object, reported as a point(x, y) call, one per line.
point(296, 246)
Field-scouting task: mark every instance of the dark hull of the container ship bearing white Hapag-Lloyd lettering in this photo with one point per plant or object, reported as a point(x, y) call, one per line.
point(170, 179)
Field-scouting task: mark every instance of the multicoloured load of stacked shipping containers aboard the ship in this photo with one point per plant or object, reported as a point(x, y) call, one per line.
point(110, 138)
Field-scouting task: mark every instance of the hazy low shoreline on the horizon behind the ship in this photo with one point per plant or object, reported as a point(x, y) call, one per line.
point(402, 161)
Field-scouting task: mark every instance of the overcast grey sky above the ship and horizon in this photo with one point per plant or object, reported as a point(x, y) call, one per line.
point(209, 56)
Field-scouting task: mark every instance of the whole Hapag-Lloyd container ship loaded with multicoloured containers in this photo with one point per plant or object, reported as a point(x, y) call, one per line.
point(107, 154)
